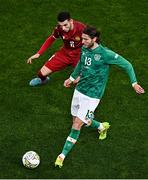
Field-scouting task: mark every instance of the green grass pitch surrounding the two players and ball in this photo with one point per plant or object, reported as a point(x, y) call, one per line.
point(39, 118)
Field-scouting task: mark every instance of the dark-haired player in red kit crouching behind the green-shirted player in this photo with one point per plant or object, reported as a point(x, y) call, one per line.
point(70, 31)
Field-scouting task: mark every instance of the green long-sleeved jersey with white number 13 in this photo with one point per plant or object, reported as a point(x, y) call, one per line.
point(93, 69)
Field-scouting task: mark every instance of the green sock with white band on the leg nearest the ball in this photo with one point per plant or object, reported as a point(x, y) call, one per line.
point(71, 140)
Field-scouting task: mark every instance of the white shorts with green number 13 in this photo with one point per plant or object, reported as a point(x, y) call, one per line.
point(83, 106)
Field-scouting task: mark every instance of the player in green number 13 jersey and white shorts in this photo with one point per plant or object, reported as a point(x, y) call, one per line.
point(93, 69)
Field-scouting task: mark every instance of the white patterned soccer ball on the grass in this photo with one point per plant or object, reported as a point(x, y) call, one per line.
point(31, 159)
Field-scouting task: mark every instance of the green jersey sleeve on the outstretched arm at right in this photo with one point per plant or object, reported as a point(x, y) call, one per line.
point(116, 59)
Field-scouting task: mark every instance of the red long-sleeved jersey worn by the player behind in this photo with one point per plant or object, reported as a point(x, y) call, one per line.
point(72, 39)
